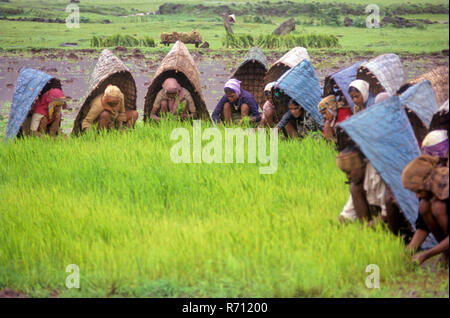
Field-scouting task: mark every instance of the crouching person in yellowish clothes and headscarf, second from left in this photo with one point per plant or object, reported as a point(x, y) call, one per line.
point(108, 111)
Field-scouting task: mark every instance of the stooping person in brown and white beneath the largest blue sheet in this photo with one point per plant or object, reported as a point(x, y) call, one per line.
point(367, 189)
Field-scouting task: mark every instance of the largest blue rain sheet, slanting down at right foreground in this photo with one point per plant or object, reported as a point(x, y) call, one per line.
point(386, 138)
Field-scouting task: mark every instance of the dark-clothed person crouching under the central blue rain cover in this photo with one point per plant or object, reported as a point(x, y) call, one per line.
point(296, 122)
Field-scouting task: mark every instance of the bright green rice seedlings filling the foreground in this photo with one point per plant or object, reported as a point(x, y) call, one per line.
point(139, 225)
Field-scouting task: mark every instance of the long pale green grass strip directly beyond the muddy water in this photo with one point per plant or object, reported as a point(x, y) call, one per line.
point(16, 35)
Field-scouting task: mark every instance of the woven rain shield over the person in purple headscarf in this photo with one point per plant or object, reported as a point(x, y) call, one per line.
point(251, 73)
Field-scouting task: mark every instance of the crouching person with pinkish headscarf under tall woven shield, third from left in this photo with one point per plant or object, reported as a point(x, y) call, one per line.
point(173, 99)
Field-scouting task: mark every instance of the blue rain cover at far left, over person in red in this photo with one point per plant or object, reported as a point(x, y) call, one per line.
point(28, 86)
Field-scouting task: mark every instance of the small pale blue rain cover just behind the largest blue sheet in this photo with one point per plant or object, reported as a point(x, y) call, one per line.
point(421, 100)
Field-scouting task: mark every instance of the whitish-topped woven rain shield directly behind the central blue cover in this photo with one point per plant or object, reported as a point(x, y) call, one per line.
point(286, 62)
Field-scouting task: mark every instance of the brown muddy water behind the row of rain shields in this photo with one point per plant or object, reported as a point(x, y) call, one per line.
point(74, 69)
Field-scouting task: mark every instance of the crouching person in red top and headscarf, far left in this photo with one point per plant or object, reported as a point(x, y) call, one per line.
point(46, 113)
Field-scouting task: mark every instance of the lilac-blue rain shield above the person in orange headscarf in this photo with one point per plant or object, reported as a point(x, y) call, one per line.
point(341, 81)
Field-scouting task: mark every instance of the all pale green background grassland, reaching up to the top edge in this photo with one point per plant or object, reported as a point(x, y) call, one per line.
point(26, 35)
